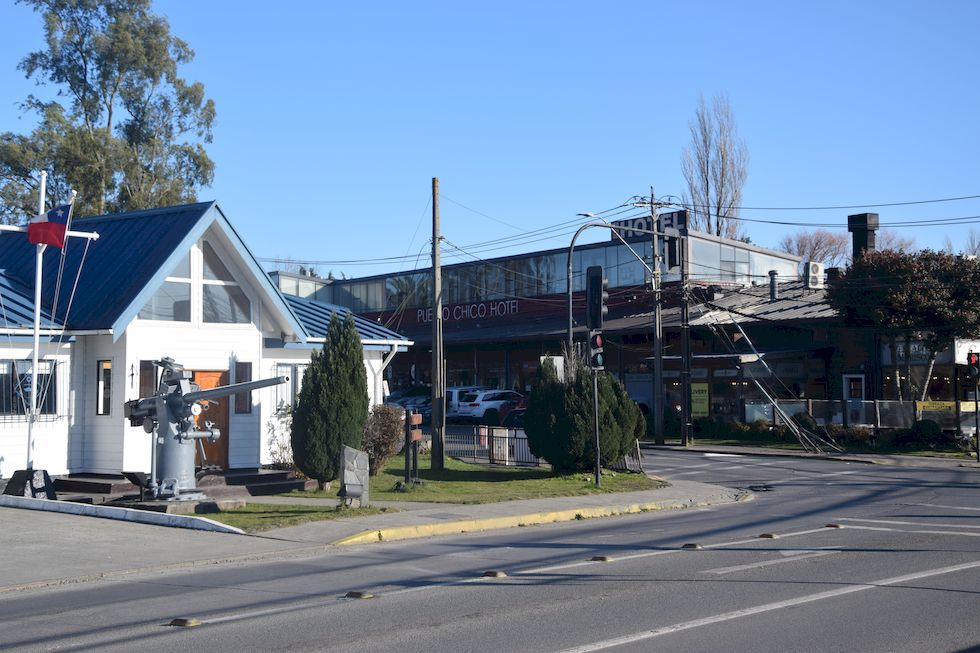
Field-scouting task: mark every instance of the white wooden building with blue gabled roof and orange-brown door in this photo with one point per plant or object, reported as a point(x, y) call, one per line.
point(174, 282)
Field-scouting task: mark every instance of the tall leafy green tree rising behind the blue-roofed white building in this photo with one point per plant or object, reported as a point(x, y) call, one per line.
point(130, 136)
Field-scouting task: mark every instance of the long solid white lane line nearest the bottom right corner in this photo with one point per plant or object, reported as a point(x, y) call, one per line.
point(767, 607)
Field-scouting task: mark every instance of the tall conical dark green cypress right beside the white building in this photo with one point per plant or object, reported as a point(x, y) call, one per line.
point(333, 404)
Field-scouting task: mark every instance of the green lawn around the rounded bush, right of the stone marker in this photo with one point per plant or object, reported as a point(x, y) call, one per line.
point(463, 482)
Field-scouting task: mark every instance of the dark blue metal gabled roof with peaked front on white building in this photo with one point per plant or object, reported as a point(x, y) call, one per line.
point(135, 252)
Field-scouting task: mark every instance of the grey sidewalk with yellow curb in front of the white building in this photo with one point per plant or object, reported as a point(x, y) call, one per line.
point(48, 548)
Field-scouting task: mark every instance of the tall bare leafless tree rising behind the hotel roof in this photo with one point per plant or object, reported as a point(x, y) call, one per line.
point(715, 167)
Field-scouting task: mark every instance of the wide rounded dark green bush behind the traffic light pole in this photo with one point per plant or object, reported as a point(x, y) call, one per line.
point(560, 426)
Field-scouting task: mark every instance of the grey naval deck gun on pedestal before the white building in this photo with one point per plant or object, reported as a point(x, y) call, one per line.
point(169, 417)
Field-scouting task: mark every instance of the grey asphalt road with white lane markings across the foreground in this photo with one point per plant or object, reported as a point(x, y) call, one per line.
point(863, 558)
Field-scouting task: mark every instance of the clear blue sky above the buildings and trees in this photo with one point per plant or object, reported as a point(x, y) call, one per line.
point(334, 117)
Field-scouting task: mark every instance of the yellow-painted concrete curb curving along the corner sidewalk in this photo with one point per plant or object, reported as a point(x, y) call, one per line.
point(512, 521)
